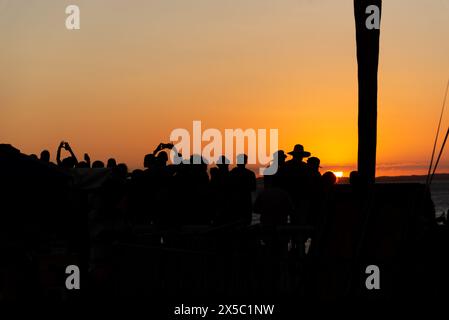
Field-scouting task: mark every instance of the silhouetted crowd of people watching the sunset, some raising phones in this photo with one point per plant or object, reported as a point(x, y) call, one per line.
point(167, 194)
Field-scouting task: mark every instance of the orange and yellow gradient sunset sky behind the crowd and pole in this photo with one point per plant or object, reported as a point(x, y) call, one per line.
point(138, 69)
